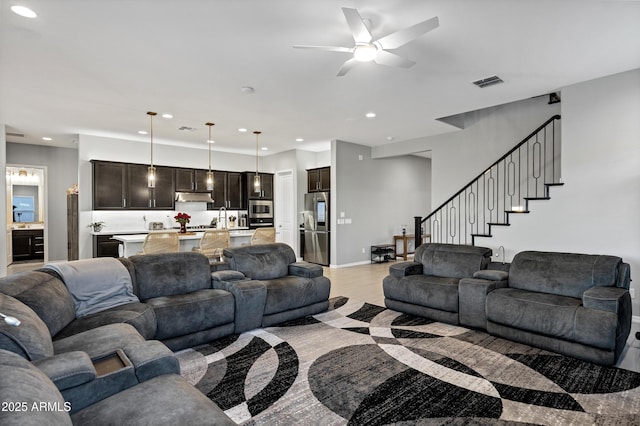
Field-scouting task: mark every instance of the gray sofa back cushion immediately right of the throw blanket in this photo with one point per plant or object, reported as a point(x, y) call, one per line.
point(168, 274)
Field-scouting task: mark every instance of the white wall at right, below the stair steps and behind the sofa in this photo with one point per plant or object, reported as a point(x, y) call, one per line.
point(597, 209)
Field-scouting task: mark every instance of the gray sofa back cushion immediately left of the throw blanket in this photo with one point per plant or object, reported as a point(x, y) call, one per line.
point(45, 294)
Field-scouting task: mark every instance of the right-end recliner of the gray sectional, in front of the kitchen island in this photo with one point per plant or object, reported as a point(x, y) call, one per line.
point(270, 287)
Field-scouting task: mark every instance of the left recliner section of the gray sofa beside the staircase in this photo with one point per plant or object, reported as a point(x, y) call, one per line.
point(428, 286)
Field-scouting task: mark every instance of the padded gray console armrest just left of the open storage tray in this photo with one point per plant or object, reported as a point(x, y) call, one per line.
point(68, 369)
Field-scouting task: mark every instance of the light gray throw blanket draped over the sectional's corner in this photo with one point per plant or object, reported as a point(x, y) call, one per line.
point(96, 284)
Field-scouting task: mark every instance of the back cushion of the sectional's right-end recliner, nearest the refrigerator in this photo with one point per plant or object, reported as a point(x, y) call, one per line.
point(261, 261)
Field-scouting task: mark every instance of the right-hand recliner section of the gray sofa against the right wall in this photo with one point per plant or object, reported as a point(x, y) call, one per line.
point(574, 304)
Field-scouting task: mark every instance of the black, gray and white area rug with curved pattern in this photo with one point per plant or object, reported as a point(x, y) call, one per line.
point(361, 364)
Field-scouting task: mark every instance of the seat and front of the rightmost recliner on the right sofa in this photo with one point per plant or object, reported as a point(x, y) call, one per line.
point(552, 315)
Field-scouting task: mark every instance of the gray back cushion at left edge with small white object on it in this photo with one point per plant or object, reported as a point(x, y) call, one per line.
point(31, 339)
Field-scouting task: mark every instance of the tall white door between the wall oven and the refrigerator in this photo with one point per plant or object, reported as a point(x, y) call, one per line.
point(285, 208)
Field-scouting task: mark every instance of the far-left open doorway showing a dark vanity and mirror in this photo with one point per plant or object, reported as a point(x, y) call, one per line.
point(26, 230)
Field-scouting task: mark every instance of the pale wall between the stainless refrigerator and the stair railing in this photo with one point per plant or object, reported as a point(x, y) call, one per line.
point(377, 195)
